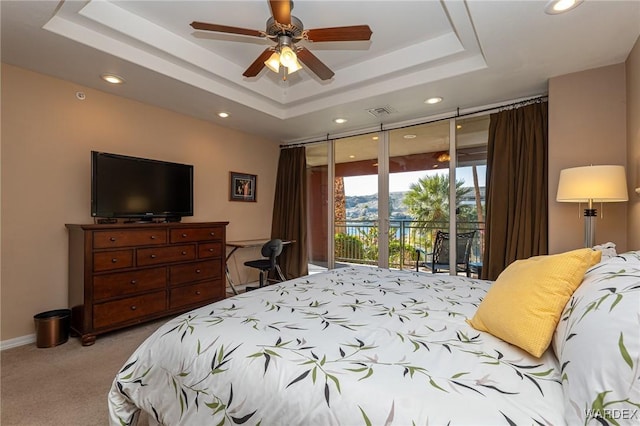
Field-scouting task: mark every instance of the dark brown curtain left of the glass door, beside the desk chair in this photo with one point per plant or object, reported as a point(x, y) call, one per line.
point(290, 211)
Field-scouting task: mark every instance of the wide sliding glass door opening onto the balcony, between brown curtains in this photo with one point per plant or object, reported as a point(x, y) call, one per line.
point(379, 198)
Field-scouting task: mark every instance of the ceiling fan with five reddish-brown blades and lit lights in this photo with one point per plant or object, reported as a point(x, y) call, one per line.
point(286, 30)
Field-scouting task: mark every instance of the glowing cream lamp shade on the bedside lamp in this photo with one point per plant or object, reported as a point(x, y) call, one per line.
point(600, 184)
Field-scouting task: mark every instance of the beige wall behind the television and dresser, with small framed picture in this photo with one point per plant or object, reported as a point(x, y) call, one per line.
point(47, 135)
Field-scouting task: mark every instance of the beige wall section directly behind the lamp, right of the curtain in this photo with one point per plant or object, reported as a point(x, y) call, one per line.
point(587, 125)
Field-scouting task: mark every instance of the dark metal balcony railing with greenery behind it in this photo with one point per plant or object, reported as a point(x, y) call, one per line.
point(356, 241)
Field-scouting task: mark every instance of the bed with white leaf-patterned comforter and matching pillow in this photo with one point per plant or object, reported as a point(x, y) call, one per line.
point(371, 346)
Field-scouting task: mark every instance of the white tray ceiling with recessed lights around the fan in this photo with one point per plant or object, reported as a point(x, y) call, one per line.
point(470, 53)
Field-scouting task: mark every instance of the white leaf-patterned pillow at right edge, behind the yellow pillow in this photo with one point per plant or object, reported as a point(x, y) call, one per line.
point(597, 342)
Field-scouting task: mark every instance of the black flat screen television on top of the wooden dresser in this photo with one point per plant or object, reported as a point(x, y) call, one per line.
point(140, 189)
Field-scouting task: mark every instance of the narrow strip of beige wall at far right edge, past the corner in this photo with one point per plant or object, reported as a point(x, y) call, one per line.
point(633, 145)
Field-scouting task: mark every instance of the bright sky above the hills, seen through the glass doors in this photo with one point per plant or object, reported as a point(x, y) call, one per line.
point(399, 182)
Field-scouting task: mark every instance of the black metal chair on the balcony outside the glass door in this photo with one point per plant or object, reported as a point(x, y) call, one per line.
point(438, 260)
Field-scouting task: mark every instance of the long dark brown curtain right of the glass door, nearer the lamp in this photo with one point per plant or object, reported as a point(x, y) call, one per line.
point(517, 187)
